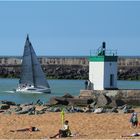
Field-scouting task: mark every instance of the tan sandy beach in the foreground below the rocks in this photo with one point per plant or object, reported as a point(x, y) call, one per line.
point(84, 125)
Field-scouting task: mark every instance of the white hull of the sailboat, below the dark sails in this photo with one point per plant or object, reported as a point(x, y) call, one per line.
point(33, 90)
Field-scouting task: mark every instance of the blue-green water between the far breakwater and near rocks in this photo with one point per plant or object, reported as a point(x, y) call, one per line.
point(58, 88)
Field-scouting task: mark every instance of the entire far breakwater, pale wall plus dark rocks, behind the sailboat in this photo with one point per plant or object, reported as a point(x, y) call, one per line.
point(69, 67)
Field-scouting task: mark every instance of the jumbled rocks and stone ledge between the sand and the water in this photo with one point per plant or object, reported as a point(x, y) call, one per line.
point(104, 101)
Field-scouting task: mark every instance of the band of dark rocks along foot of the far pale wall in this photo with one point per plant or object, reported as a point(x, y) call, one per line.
point(70, 72)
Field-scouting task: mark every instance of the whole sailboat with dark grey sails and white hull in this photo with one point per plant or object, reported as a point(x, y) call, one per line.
point(32, 79)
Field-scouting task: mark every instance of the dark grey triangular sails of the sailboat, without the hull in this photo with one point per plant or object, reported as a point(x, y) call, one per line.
point(31, 72)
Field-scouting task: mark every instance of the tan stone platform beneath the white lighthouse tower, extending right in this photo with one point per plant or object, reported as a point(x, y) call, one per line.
point(126, 96)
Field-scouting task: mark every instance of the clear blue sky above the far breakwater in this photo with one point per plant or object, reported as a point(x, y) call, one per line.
point(70, 28)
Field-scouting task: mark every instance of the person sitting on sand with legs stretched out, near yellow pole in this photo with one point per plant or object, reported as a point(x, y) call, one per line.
point(64, 132)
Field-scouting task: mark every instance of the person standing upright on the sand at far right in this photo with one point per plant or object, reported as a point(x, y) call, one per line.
point(134, 120)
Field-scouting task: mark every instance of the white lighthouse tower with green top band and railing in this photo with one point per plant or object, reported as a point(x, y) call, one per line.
point(103, 69)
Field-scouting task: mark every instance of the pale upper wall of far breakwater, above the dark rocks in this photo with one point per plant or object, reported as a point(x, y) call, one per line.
point(129, 61)
